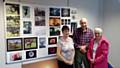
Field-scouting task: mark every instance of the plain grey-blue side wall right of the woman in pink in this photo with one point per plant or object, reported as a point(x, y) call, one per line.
point(112, 29)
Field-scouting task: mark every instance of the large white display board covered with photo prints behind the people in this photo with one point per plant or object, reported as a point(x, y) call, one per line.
point(32, 31)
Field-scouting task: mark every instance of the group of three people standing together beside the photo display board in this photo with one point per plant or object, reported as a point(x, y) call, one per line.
point(86, 47)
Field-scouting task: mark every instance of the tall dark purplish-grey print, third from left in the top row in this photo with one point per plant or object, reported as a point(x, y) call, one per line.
point(39, 16)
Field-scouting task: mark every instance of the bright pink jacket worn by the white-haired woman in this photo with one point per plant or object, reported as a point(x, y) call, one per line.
point(101, 57)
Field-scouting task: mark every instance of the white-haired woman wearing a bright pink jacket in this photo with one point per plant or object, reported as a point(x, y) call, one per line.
point(98, 50)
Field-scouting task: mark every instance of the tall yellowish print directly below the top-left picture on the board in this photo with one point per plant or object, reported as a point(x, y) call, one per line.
point(13, 26)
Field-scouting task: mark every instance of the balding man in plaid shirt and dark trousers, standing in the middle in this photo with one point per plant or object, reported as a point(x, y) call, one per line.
point(81, 38)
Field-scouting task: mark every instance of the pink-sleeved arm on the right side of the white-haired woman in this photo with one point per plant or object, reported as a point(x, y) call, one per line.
point(104, 53)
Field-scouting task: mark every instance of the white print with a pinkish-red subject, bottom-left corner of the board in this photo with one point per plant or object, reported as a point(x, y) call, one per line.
point(17, 56)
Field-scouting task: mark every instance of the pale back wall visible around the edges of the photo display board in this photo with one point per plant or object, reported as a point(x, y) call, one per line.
point(87, 8)
